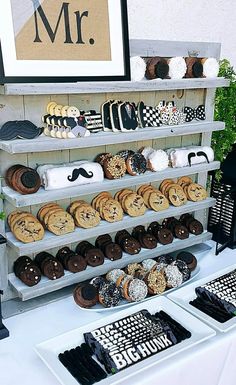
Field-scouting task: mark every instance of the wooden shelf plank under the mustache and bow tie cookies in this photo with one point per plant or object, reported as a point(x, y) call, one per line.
point(43, 143)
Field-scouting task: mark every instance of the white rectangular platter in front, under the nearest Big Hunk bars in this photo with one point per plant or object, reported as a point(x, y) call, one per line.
point(48, 351)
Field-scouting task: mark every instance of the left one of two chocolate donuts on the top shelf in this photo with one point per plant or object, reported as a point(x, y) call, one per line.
point(157, 68)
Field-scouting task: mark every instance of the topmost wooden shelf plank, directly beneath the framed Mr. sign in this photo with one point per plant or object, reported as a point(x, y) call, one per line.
point(102, 87)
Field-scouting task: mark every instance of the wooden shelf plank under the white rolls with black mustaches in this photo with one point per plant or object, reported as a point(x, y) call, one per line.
point(43, 196)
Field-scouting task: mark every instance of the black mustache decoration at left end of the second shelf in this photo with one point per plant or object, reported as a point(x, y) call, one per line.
point(23, 129)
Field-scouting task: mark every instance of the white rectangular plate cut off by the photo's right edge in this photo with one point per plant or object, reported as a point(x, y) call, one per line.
point(186, 294)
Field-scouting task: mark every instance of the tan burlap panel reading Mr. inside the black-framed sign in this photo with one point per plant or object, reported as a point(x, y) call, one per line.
point(61, 30)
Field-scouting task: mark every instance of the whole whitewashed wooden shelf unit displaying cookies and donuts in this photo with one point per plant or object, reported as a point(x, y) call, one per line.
point(28, 101)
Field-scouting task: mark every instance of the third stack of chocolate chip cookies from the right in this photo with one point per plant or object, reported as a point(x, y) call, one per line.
point(153, 198)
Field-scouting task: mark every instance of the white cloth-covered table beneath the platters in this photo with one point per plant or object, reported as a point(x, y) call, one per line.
point(210, 363)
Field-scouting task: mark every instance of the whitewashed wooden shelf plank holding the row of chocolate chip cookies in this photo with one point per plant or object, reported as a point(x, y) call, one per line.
point(50, 240)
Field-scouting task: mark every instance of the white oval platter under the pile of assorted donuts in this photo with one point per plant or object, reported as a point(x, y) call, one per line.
point(99, 308)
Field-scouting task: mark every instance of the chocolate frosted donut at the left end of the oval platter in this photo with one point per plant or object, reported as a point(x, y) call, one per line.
point(85, 295)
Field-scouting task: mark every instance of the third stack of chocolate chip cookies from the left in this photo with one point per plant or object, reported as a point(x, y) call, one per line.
point(84, 214)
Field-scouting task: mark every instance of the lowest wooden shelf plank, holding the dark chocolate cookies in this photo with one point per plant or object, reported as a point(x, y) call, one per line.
point(47, 286)
